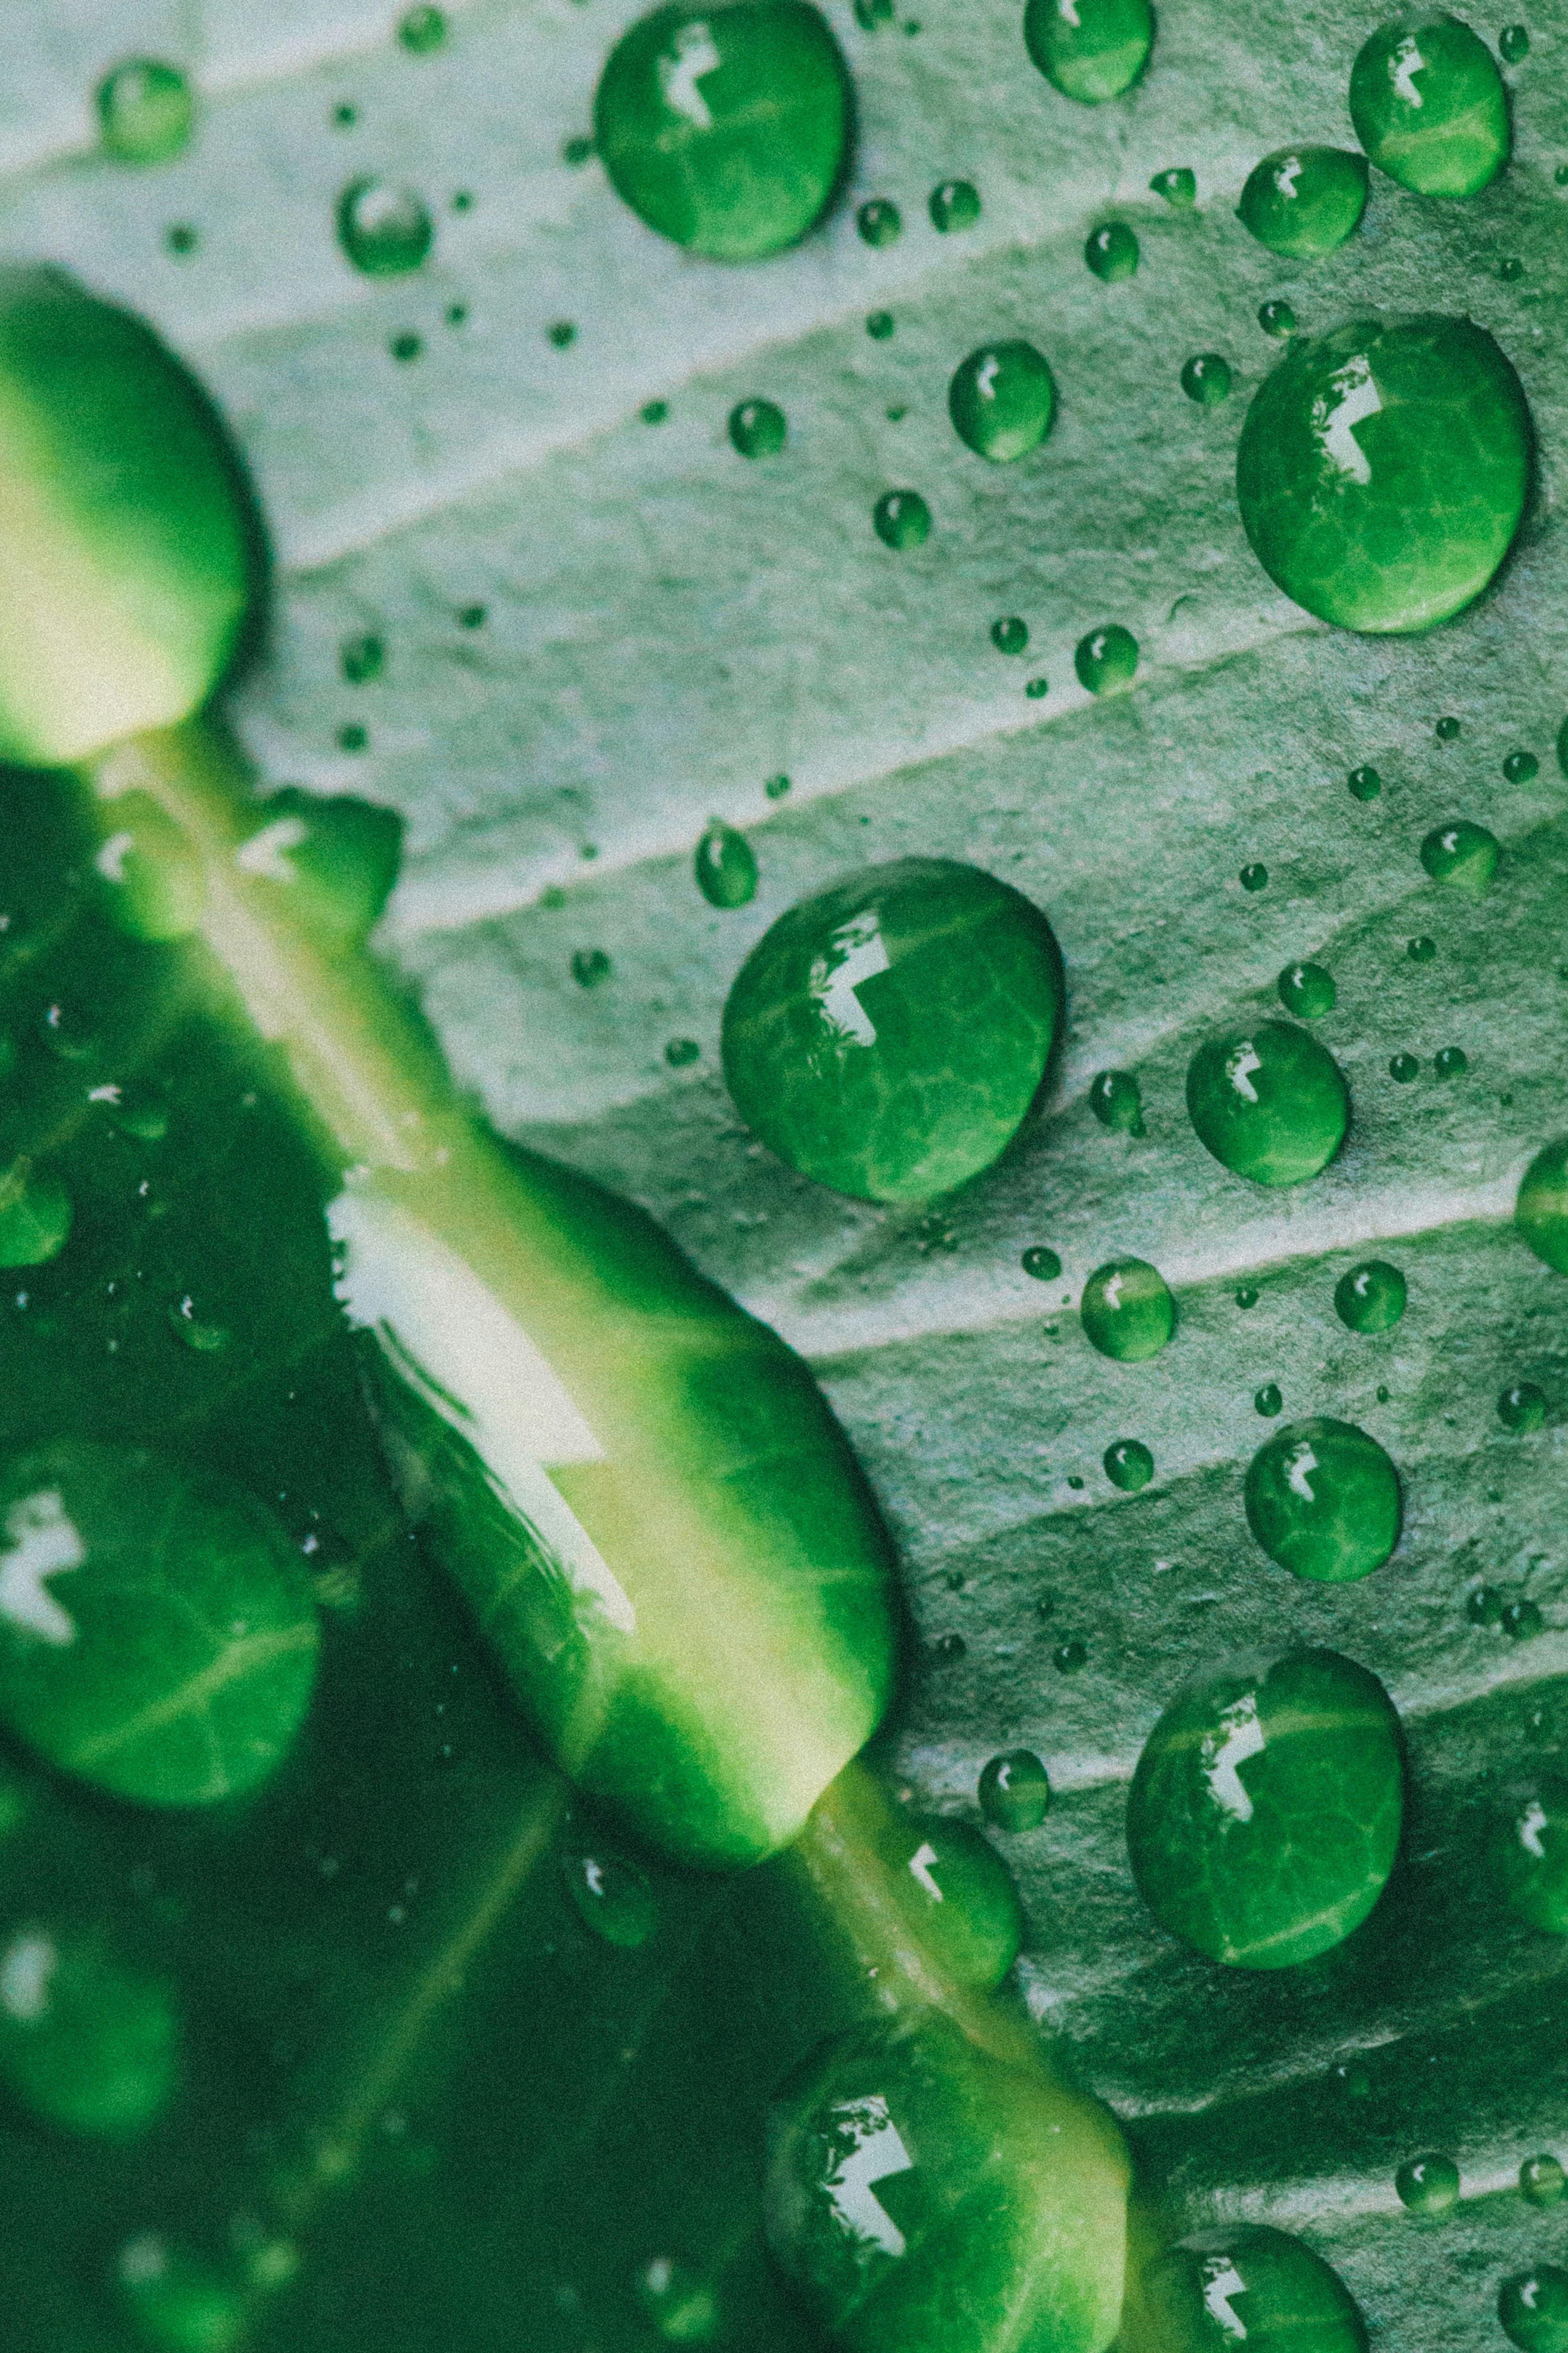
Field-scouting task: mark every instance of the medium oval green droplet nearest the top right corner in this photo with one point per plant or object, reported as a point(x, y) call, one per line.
point(1428, 105)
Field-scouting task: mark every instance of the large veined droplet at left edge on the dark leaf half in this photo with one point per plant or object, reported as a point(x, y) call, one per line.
point(156, 1627)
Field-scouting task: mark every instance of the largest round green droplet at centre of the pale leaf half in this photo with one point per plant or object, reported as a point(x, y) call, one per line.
point(859, 1020)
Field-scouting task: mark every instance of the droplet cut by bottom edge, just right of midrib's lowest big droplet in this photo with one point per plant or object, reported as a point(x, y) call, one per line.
point(1252, 2286)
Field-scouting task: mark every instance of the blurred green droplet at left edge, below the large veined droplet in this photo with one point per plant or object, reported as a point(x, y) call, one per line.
point(86, 2041)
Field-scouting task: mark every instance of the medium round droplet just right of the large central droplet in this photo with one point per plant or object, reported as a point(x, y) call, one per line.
point(1271, 1105)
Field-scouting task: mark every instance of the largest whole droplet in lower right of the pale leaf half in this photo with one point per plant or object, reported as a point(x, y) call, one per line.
point(1264, 1818)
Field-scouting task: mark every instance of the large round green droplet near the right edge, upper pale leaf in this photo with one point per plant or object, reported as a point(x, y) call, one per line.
point(1409, 436)
